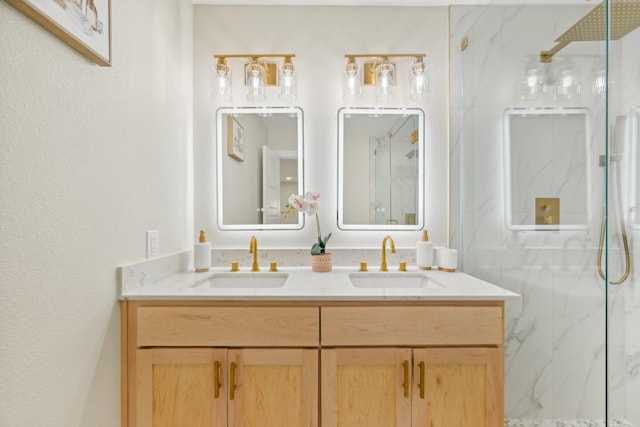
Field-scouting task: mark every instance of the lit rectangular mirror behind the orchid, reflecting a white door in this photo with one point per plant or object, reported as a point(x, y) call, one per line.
point(259, 165)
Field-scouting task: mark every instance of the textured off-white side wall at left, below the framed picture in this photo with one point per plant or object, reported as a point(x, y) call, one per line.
point(90, 158)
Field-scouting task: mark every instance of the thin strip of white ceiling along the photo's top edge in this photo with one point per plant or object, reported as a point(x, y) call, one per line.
point(387, 2)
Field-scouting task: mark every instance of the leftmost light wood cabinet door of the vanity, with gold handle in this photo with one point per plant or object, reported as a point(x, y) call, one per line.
point(177, 387)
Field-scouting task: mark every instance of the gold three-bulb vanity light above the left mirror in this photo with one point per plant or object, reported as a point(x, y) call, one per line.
point(260, 71)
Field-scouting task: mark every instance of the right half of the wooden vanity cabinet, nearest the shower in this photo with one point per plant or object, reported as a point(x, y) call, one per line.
point(427, 366)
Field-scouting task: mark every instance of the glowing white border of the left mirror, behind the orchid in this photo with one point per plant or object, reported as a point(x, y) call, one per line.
point(221, 146)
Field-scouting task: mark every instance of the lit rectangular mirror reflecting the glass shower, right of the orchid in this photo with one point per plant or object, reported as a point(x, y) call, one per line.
point(380, 169)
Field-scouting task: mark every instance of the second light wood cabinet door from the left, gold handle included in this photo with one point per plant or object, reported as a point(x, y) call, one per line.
point(273, 388)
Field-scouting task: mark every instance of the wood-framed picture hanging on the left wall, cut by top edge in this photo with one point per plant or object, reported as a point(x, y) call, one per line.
point(85, 25)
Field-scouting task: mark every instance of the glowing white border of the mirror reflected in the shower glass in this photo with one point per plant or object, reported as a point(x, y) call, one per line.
point(506, 129)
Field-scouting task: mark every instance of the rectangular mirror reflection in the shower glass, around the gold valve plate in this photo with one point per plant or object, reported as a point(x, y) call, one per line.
point(547, 168)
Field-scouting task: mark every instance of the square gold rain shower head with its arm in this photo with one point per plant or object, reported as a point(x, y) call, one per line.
point(625, 17)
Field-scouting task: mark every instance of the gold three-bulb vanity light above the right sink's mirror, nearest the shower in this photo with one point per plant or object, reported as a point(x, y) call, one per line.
point(380, 71)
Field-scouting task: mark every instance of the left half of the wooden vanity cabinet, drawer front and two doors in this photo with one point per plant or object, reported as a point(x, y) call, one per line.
point(205, 365)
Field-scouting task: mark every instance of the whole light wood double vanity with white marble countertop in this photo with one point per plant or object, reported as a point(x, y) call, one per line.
point(314, 350)
